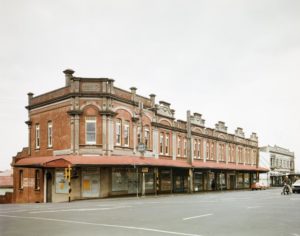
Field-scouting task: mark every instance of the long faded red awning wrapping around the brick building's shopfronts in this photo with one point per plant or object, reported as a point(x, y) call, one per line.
point(64, 161)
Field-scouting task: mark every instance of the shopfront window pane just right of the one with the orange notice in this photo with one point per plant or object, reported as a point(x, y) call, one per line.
point(119, 179)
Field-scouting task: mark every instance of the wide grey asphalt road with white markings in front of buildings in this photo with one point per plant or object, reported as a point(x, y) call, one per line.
point(239, 213)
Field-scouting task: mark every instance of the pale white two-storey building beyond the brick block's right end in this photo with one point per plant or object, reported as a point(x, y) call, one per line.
point(280, 161)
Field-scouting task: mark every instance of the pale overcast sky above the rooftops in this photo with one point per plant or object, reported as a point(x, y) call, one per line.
point(232, 61)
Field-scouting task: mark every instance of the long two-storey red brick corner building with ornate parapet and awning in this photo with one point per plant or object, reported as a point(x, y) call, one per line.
point(120, 143)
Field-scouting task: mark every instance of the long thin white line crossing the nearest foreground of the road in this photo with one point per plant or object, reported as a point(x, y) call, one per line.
point(103, 225)
